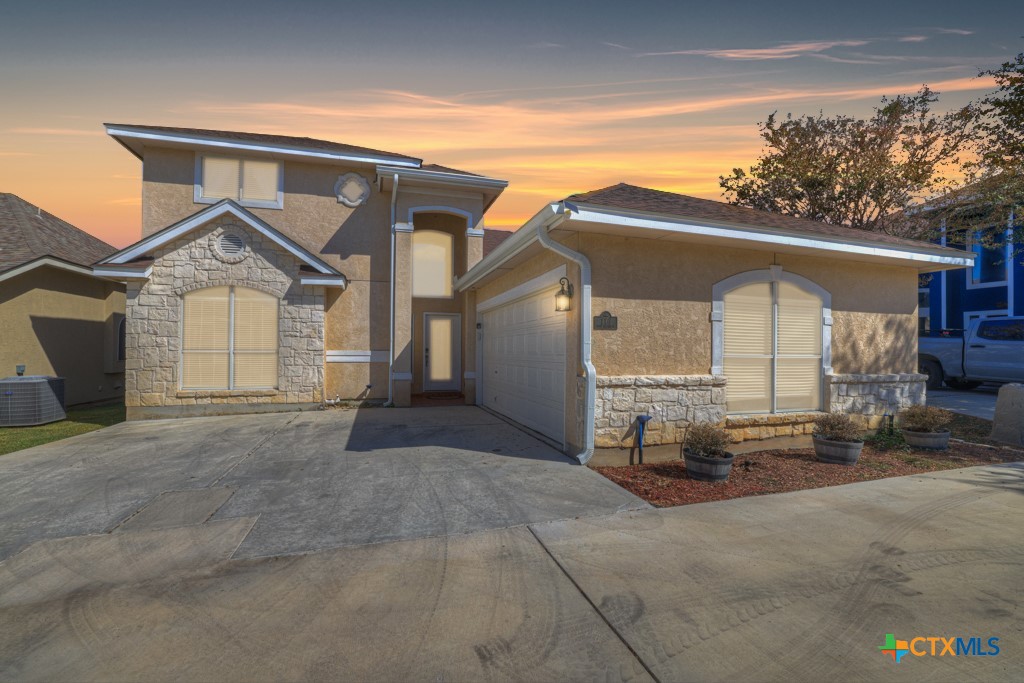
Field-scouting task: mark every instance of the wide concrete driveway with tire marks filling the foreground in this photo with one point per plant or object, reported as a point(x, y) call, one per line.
point(800, 586)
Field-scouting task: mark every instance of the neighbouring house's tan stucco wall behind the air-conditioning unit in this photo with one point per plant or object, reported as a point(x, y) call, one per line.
point(62, 324)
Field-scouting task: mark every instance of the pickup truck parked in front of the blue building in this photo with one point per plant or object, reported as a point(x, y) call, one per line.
point(991, 351)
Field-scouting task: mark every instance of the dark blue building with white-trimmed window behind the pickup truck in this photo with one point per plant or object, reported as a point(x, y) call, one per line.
point(994, 288)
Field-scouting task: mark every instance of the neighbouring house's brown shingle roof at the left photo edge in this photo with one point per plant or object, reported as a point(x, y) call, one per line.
point(27, 233)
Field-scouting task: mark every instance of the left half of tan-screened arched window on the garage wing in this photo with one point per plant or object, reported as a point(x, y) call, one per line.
point(748, 350)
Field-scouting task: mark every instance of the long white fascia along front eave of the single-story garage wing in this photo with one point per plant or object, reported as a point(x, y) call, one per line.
point(770, 236)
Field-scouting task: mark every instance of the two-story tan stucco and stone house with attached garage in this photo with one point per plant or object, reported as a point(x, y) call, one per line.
point(277, 273)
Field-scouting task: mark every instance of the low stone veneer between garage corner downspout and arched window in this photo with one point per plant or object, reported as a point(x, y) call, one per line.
point(674, 402)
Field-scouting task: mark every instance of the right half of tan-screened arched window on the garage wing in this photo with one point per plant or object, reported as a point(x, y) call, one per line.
point(798, 382)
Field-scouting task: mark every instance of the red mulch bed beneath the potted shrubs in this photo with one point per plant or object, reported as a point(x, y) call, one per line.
point(666, 485)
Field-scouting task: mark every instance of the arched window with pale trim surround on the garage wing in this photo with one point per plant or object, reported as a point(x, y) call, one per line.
point(772, 339)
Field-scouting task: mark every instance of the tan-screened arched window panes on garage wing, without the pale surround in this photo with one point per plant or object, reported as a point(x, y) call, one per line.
point(773, 349)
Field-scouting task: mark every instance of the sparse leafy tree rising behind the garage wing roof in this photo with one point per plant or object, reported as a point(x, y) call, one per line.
point(866, 174)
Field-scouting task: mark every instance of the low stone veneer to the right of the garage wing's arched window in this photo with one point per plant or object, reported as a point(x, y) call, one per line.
point(874, 396)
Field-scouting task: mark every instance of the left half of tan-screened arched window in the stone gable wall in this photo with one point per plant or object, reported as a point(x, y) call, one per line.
point(205, 344)
